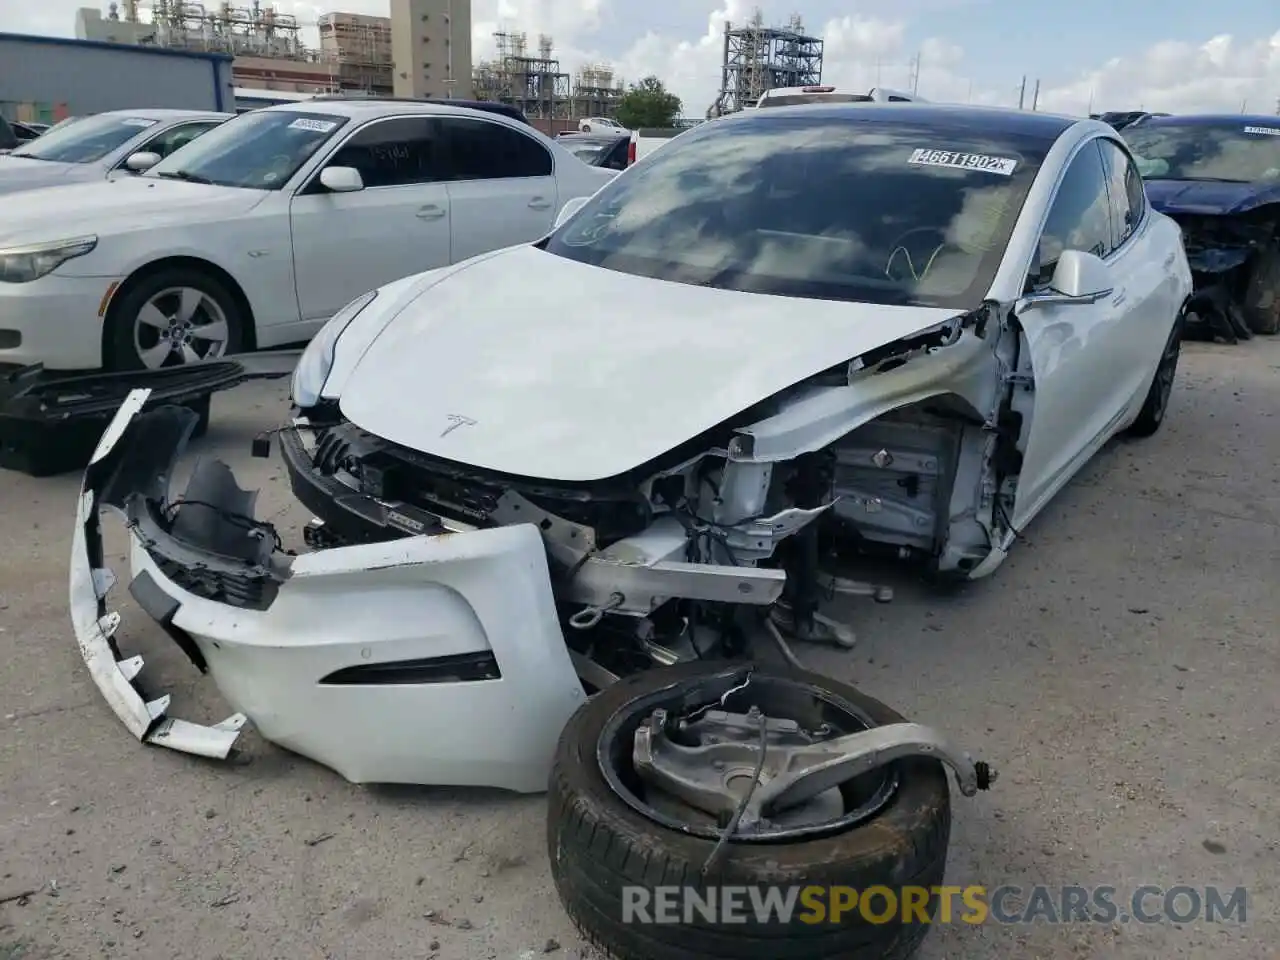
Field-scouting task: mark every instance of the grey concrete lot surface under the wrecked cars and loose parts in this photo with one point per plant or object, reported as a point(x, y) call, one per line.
point(1122, 673)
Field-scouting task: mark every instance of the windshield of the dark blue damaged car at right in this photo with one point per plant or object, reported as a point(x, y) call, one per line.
point(1244, 152)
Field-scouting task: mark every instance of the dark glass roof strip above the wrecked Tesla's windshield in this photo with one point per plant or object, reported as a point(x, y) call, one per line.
point(991, 120)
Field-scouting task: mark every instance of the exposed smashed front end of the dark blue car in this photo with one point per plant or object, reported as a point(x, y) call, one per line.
point(1236, 268)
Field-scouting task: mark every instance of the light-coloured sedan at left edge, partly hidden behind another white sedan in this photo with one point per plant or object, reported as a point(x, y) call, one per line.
point(103, 147)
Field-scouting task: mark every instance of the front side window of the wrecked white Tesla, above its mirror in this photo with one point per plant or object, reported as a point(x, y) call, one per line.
point(1080, 218)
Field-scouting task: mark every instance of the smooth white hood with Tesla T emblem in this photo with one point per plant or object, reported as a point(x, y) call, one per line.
point(538, 367)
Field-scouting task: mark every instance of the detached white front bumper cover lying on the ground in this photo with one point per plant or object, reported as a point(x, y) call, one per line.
point(428, 660)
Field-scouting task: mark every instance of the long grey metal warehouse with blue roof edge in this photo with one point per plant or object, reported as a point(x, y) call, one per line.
point(48, 79)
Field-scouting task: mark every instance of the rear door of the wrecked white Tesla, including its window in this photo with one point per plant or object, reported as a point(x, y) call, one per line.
point(1146, 286)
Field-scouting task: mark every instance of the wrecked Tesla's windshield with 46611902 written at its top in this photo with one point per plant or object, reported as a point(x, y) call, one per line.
point(828, 208)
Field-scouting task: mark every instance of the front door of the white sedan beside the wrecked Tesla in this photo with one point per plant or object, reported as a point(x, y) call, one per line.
point(349, 244)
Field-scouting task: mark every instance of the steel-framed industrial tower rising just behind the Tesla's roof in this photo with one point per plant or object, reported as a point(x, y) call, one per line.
point(760, 58)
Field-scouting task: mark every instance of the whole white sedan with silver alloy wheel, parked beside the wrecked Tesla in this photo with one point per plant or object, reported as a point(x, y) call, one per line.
point(259, 232)
